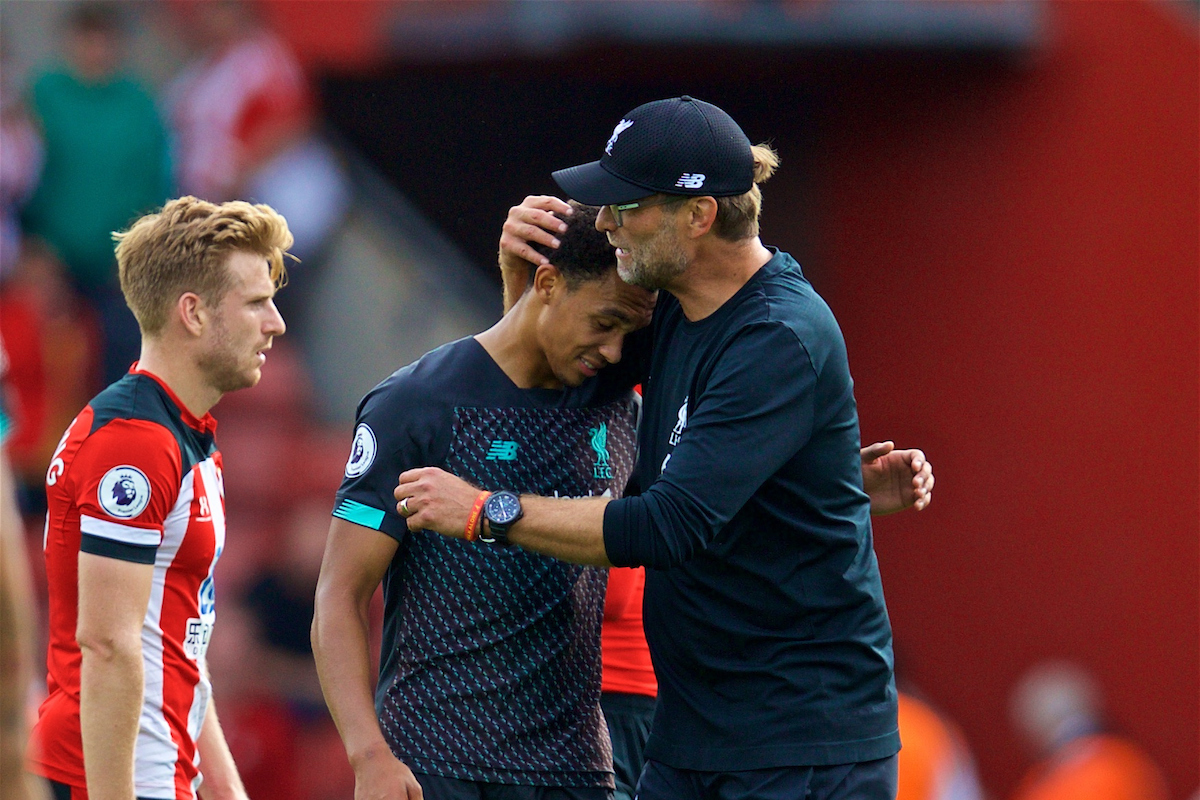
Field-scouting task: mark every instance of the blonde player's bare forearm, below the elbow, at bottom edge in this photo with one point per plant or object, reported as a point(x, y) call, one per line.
point(111, 684)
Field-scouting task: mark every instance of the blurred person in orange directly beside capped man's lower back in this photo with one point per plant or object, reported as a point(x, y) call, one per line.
point(935, 763)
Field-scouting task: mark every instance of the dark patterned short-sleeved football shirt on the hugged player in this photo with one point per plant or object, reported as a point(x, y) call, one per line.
point(491, 660)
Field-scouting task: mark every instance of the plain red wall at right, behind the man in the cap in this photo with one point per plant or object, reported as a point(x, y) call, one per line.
point(1015, 263)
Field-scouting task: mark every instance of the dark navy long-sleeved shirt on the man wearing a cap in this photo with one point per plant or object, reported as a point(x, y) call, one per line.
point(764, 604)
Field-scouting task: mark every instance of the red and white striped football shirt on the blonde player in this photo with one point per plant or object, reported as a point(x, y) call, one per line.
point(136, 478)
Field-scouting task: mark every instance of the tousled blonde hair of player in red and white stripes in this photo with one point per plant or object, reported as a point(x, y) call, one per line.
point(184, 248)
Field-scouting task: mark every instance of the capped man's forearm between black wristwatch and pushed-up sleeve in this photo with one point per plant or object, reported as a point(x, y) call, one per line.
point(567, 530)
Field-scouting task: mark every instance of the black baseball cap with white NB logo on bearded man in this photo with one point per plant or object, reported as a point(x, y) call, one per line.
point(670, 147)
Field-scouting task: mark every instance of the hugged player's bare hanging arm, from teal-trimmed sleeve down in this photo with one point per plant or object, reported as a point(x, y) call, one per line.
point(356, 562)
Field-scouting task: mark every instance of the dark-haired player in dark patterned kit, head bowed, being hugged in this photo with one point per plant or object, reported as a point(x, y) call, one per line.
point(490, 675)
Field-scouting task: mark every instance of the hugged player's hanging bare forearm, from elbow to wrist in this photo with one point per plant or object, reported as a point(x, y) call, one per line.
point(340, 647)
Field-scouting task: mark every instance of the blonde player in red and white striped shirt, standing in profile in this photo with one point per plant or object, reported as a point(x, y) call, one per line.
point(136, 519)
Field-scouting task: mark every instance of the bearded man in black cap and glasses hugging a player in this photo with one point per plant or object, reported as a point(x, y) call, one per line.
point(764, 605)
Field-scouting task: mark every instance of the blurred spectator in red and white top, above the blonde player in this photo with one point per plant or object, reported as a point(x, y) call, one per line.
point(243, 112)
